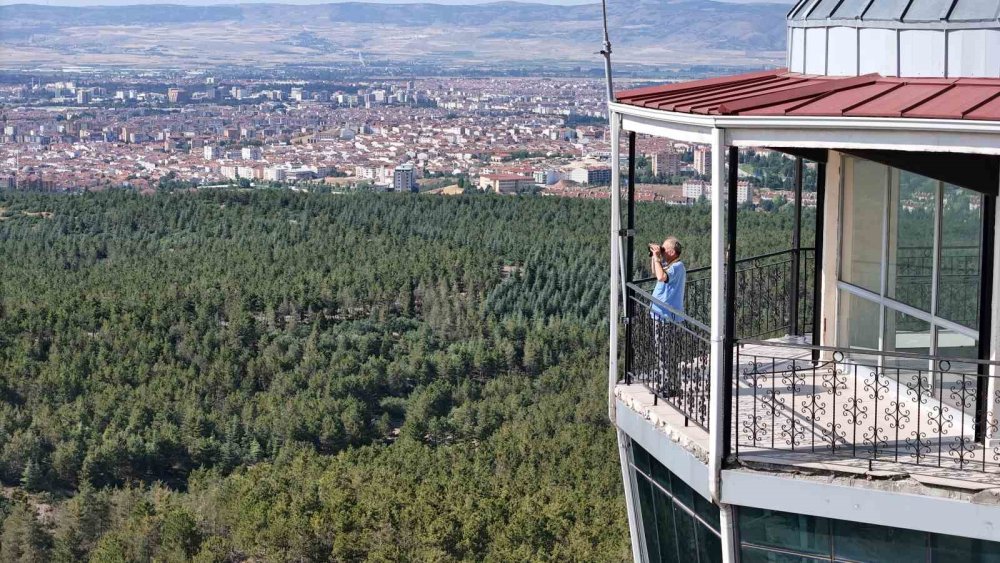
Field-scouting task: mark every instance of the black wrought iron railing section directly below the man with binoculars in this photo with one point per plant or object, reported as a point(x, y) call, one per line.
point(669, 353)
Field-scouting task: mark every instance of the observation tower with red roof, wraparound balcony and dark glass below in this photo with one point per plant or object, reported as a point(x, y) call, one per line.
point(838, 400)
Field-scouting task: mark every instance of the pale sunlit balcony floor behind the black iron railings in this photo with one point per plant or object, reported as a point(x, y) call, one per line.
point(829, 418)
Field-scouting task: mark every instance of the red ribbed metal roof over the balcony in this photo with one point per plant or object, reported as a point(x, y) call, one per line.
point(779, 92)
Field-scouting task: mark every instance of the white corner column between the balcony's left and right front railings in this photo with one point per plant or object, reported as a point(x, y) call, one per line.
point(716, 416)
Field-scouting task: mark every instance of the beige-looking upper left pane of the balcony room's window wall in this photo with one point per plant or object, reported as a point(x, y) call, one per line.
point(864, 212)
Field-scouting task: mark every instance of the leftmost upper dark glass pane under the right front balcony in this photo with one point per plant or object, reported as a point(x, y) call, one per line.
point(806, 534)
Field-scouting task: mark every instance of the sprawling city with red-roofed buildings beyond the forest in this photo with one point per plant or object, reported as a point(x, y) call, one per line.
point(439, 135)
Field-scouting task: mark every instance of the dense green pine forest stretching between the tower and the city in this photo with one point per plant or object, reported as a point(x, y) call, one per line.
point(271, 375)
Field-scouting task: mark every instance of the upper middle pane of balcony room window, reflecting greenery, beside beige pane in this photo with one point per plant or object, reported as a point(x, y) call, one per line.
point(911, 238)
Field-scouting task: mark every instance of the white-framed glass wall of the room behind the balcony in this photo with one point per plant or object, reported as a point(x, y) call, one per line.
point(911, 254)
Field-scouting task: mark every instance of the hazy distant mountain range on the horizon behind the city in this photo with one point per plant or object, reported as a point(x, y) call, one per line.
point(661, 32)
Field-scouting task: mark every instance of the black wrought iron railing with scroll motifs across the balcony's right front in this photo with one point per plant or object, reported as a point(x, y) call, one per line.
point(879, 407)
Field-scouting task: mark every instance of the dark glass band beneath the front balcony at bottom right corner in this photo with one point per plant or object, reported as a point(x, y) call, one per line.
point(770, 536)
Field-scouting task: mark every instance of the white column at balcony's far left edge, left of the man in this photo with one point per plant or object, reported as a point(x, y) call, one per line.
point(614, 266)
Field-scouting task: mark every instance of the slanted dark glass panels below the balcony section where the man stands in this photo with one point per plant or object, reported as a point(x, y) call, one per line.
point(677, 523)
